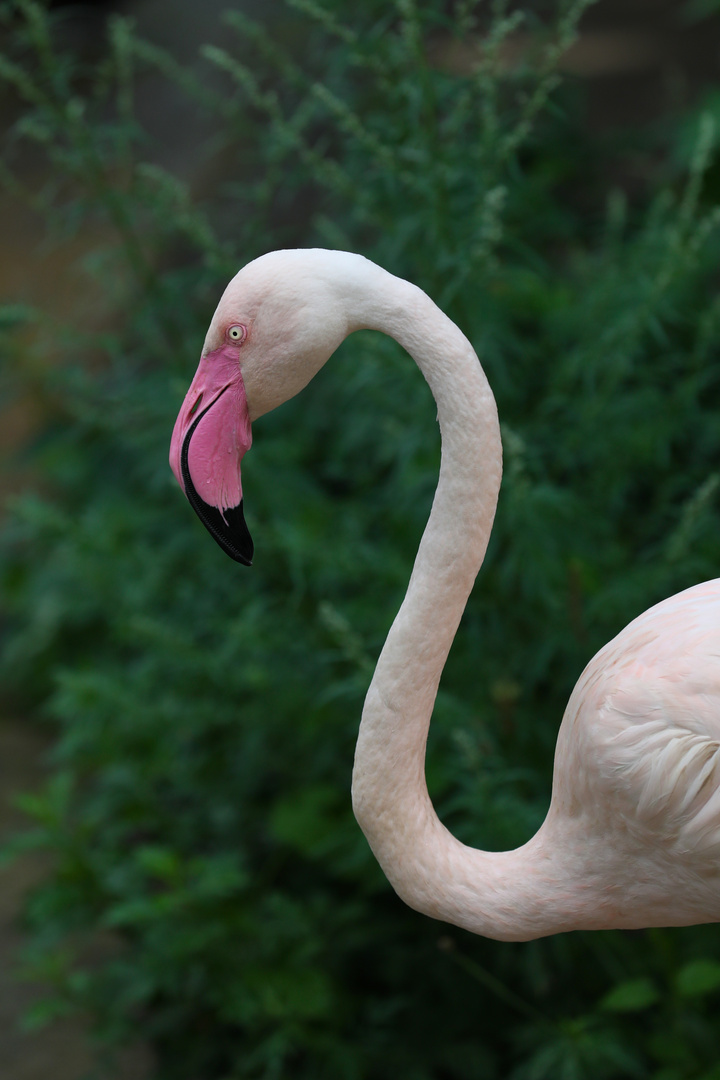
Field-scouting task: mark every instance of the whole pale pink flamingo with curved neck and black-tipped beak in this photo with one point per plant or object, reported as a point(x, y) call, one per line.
point(632, 838)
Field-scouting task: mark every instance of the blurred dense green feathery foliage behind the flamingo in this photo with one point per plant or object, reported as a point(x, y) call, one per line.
point(199, 806)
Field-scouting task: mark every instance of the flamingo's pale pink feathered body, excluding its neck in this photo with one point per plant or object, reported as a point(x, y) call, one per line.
point(637, 768)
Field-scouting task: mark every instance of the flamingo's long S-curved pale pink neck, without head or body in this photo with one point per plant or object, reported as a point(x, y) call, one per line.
point(482, 892)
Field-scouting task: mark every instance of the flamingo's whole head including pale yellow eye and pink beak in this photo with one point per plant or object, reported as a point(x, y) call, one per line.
point(278, 322)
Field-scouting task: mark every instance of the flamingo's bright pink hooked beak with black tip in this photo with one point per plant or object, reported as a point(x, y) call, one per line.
point(211, 437)
